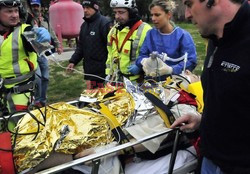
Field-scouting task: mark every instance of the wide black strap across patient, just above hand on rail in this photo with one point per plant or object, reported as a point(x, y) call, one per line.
point(157, 102)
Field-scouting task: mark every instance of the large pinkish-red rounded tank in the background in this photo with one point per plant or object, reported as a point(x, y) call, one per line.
point(66, 16)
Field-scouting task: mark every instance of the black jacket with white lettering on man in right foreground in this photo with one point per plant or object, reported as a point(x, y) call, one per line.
point(225, 126)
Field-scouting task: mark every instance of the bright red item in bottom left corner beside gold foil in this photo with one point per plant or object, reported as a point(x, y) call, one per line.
point(6, 158)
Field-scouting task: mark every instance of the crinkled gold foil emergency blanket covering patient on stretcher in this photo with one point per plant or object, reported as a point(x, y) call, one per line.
point(86, 129)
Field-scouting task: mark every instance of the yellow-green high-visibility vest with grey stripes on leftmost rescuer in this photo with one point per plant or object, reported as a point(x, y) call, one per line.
point(18, 66)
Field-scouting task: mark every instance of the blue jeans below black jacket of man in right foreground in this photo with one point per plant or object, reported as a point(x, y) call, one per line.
point(208, 167)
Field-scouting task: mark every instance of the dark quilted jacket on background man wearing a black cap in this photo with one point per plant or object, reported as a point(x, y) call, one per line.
point(92, 46)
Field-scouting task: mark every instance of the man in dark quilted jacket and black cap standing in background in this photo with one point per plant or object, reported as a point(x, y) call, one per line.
point(92, 45)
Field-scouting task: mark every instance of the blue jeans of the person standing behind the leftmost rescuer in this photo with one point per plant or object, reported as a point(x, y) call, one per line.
point(42, 79)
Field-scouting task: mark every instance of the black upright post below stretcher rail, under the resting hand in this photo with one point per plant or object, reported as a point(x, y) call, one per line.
point(174, 151)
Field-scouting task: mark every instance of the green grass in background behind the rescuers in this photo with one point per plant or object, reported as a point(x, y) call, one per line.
point(67, 87)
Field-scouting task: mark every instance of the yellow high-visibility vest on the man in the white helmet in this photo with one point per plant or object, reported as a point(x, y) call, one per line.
point(130, 49)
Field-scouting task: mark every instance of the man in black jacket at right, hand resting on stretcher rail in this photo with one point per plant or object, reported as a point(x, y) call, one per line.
point(225, 121)
